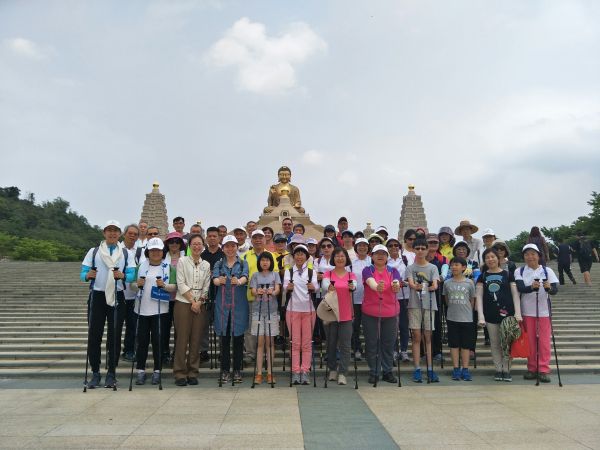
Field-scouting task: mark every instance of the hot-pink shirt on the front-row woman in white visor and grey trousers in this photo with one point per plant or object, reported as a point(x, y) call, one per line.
point(390, 307)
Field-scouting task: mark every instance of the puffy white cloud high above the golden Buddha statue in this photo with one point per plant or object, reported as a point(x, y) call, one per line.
point(265, 65)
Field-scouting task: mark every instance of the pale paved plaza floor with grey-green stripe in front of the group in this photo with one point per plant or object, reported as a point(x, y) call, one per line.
point(482, 414)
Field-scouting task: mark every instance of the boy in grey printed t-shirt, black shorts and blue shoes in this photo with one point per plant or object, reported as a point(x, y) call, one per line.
point(459, 294)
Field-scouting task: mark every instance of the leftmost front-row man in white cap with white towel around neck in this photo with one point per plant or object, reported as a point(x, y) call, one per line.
point(105, 267)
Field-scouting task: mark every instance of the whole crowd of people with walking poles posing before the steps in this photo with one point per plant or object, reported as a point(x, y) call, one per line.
point(360, 296)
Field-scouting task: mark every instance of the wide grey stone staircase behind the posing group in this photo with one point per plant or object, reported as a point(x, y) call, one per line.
point(43, 325)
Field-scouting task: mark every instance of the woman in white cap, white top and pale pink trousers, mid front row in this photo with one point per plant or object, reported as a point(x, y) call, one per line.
point(299, 282)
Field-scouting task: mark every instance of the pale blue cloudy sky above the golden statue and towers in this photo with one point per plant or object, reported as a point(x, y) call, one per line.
point(491, 108)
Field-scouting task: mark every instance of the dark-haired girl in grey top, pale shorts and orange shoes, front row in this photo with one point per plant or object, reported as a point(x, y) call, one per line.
point(265, 286)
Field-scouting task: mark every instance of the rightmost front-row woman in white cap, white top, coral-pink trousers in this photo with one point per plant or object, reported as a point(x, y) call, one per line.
point(535, 282)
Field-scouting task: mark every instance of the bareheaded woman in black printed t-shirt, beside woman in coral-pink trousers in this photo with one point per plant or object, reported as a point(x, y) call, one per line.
point(497, 298)
